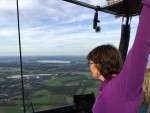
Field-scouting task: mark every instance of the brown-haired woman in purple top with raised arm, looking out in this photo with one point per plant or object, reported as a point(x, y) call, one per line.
point(121, 89)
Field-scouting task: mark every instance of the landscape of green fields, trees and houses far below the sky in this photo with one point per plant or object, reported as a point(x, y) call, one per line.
point(45, 92)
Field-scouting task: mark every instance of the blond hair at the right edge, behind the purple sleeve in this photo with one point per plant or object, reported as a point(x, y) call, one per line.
point(146, 87)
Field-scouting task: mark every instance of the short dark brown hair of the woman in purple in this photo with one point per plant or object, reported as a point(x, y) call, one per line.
point(108, 59)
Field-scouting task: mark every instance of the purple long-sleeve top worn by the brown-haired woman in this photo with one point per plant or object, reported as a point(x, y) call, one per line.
point(123, 93)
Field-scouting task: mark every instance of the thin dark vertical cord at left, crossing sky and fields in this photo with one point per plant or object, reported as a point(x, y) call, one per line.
point(22, 83)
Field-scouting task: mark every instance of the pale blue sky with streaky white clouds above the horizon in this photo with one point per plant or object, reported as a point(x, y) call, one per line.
point(56, 27)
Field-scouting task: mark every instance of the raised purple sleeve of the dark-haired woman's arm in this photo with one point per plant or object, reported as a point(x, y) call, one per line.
point(131, 76)
